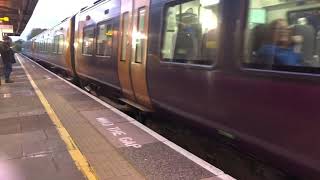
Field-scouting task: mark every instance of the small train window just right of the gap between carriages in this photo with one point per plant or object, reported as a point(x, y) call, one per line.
point(88, 37)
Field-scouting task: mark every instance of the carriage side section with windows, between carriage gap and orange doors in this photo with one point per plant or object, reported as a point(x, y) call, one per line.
point(96, 40)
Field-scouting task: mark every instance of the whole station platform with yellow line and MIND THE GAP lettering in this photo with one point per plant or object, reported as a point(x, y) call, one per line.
point(50, 129)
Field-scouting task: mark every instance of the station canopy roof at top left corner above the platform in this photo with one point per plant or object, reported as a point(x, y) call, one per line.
point(15, 14)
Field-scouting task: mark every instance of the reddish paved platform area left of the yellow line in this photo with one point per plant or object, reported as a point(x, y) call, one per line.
point(31, 148)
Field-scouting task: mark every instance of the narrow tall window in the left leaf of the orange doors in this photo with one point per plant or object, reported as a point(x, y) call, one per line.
point(125, 35)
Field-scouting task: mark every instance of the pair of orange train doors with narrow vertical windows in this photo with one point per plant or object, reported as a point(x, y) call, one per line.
point(133, 50)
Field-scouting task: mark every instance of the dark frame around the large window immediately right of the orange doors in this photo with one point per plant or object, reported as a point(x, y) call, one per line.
point(216, 62)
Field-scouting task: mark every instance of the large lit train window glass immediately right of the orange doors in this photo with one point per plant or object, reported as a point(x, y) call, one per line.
point(191, 32)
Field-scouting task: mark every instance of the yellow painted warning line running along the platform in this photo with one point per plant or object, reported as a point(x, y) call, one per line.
point(79, 159)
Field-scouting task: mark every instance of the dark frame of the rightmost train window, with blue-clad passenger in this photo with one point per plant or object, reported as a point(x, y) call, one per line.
point(284, 71)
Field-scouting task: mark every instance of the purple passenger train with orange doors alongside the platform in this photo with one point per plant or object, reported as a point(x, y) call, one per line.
point(248, 69)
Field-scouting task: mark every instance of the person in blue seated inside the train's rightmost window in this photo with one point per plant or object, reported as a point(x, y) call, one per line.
point(278, 49)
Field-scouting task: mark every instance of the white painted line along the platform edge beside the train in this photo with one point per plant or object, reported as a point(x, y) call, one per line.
point(217, 172)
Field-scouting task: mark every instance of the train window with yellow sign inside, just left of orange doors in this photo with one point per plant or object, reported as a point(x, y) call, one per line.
point(104, 39)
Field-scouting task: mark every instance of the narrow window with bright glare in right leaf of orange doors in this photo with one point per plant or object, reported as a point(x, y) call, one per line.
point(140, 37)
